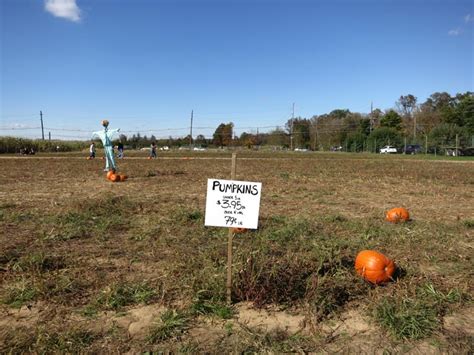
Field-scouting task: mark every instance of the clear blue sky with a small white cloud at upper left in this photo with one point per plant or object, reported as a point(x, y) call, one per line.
point(144, 64)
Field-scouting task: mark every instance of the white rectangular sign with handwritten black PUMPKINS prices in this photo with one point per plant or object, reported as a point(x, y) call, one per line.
point(231, 203)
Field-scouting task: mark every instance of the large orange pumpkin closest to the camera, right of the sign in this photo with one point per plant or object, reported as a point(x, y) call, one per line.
point(374, 266)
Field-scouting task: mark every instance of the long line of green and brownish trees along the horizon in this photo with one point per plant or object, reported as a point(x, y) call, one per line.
point(440, 120)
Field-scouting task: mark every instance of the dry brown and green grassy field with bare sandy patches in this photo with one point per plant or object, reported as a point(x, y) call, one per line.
point(87, 265)
